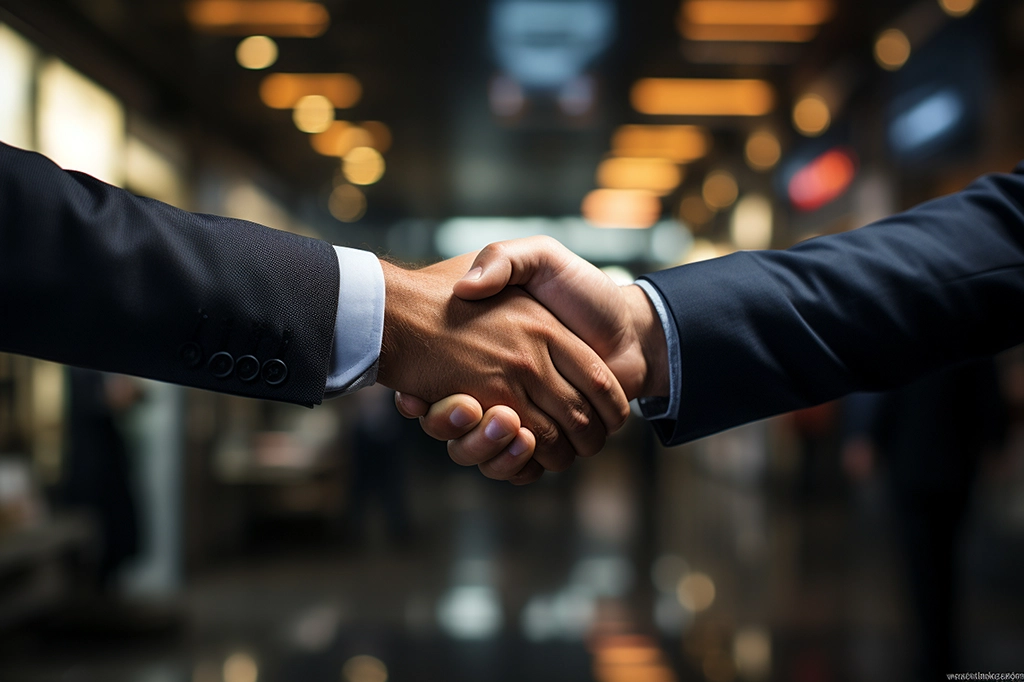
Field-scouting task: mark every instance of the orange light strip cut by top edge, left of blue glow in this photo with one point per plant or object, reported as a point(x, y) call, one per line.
point(295, 19)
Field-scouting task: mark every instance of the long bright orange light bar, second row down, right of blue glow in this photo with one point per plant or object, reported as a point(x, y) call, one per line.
point(692, 97)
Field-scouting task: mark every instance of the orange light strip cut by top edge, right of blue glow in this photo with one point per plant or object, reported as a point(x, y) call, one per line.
point(758, 13)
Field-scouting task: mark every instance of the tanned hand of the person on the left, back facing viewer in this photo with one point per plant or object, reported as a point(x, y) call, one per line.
point(508, 351)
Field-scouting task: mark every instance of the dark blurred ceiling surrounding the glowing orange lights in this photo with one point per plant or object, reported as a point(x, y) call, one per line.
point(429, 71)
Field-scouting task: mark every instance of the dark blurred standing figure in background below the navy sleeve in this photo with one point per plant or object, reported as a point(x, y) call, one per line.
point(930, 437)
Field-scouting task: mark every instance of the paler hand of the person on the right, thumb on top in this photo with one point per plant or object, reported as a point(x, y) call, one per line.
point(619, 323)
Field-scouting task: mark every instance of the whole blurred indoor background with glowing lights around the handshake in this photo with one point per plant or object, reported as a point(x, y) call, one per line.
point(156, 534)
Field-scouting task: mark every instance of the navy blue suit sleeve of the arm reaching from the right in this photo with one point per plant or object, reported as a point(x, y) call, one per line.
point(767, 332)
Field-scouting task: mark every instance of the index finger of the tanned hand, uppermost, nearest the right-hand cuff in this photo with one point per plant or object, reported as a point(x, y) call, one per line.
point(585, 370)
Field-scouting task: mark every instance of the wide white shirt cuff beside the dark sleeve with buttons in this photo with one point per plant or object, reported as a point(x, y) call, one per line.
point(360, 325)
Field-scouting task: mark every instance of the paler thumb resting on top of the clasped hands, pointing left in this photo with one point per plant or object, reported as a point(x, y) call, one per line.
point(515, 263)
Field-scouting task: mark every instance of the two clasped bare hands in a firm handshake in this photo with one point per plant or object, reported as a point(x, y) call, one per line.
point(531, 364)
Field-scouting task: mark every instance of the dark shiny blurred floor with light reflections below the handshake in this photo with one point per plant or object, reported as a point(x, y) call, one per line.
point(701, 563)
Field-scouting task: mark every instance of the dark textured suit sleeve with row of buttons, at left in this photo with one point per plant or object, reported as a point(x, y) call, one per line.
point(95, 277)
